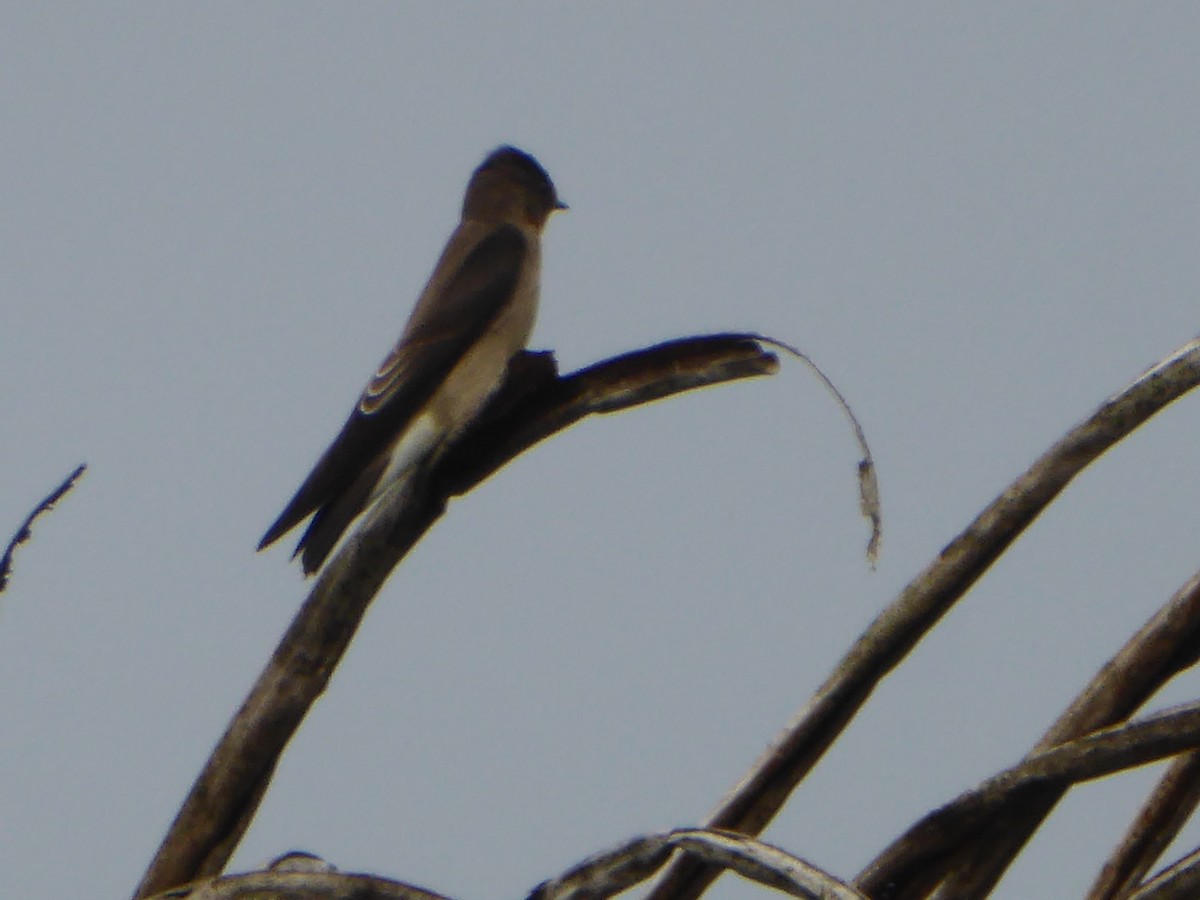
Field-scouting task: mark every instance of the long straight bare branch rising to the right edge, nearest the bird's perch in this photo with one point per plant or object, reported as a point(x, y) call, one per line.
point(763, 793)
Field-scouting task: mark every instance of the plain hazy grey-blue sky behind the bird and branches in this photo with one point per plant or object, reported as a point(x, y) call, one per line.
point(980, 219)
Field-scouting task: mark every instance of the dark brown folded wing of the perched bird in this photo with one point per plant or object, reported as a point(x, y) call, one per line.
point(434, 343)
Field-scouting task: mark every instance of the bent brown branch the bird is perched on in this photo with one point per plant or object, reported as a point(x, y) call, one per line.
point(536, 405)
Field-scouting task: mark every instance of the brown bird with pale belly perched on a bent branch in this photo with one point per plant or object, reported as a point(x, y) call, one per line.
point(473, 317)
